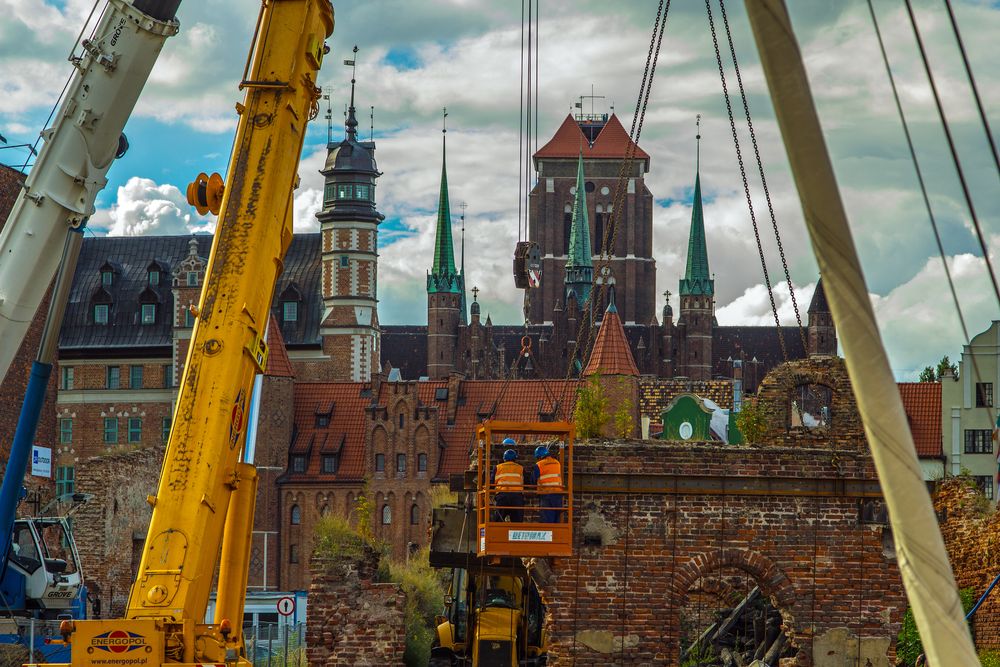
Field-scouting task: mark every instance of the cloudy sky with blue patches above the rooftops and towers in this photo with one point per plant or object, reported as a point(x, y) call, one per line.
point(417, 57)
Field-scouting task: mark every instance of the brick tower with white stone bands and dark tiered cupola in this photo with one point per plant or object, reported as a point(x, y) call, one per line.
point(349, 231)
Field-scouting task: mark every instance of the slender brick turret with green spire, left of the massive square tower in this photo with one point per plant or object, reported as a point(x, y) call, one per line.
point(445, 289)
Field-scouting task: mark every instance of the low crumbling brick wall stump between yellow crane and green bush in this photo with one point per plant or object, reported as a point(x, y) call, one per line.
point(351, 619)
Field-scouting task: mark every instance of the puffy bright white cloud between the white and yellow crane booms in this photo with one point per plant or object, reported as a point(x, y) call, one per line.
point(145, 208)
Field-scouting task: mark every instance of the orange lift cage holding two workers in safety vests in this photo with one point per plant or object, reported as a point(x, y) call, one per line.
point(530, 536)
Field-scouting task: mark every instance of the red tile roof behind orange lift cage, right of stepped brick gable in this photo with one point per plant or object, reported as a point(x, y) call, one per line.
point(523, 400)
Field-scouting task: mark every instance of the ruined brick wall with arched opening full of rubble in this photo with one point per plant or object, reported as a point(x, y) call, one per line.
point(833, 577)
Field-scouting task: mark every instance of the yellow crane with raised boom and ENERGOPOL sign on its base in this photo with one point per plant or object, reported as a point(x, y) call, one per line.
point(204, 502)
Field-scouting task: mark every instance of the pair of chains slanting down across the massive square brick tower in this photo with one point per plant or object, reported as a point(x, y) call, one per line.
point(610, 231)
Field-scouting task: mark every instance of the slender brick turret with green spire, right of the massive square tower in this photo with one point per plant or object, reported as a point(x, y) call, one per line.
point(697, 296)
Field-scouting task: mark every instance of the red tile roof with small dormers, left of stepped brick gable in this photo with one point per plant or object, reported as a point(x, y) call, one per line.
point(345, 403)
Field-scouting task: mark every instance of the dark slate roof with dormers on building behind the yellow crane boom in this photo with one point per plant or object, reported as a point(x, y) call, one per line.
point(130, 258)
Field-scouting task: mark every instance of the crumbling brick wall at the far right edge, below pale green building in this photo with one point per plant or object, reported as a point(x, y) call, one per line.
point(971, 532)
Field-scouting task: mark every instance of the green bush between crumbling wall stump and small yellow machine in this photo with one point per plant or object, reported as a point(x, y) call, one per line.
point(424, 595)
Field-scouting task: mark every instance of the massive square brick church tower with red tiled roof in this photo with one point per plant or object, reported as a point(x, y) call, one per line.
point(600, 143)
